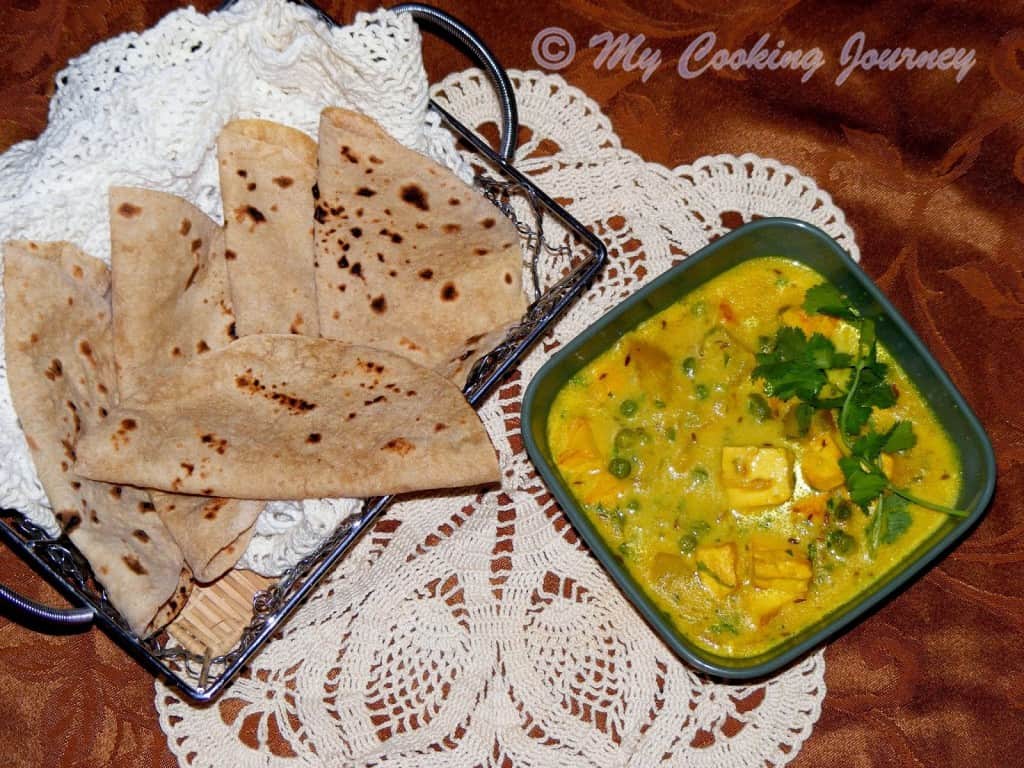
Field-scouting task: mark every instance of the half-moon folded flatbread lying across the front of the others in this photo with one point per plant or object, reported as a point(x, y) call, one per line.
point(290, 417)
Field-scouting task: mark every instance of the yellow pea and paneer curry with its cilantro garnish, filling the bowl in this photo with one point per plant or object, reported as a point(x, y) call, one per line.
point(753, 456)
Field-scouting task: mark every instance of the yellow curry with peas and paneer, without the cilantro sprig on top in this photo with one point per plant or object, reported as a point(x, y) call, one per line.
point(719, 509)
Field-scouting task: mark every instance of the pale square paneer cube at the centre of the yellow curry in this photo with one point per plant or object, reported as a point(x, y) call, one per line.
point(756, 477)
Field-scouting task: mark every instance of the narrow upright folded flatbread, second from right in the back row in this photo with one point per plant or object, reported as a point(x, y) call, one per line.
point(268, 173)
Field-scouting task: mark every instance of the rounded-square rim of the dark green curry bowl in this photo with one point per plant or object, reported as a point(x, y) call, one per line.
point(898, 579)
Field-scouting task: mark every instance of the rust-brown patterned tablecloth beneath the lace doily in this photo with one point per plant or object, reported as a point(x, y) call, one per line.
point(930, 175)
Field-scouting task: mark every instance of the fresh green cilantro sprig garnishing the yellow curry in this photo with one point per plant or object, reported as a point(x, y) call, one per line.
point(807, 369)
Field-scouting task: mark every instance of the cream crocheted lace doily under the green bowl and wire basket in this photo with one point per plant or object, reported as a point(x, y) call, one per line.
point(478, 630)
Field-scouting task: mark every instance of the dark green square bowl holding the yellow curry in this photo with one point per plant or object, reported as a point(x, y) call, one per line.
point(805, 244)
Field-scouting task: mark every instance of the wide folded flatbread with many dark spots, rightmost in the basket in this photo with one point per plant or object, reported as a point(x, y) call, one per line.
point(409, 259)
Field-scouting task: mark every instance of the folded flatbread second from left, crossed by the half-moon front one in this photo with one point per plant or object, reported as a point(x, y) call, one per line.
point(172, 305)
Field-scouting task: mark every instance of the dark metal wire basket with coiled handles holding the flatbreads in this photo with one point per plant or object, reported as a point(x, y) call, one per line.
point(203, 676)
